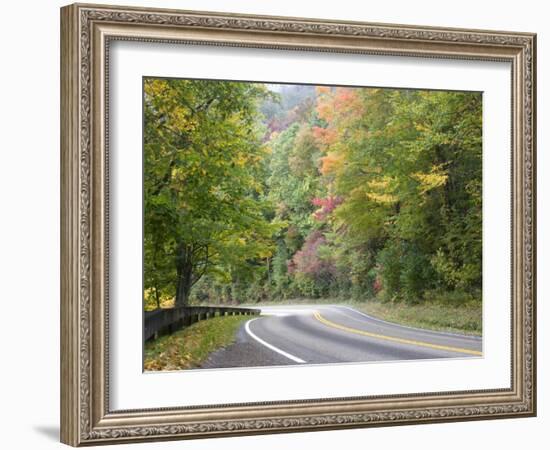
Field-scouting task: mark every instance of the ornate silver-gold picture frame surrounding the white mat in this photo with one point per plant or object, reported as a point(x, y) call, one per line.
point(85, 33)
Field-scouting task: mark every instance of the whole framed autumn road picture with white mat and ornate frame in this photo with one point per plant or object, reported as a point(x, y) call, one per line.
point(276, 224)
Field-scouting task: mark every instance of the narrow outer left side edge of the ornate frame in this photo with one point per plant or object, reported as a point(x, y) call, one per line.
point(70, 215)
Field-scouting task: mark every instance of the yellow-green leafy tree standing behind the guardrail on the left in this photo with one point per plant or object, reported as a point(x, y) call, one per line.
point(204, 204)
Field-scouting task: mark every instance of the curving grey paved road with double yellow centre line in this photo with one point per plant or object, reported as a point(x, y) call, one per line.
point(320, 334)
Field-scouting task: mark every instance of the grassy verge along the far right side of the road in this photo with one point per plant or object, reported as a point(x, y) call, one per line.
point(463, 318)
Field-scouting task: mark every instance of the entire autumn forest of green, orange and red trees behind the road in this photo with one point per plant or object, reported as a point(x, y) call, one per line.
point(257, 192)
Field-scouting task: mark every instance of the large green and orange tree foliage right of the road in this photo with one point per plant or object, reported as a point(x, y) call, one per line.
point(408, 166)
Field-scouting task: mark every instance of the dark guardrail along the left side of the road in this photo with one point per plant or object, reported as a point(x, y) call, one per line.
point(167, 320)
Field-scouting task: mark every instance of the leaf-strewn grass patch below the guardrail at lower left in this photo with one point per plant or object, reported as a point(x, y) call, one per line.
point(188, 348)
